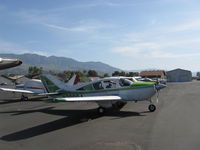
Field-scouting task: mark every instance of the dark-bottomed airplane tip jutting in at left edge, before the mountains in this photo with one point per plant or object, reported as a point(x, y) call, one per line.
point(8, 63)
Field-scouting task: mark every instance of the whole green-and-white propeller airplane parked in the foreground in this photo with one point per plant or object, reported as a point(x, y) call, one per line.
point(112, 92)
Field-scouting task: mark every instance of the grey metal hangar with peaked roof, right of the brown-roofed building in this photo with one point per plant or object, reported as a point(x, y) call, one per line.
point(179, 75)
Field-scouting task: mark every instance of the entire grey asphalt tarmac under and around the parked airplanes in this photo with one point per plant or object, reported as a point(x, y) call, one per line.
point(42, 124)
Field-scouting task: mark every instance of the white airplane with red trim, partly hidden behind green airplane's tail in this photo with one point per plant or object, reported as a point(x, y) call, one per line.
point(35, 87)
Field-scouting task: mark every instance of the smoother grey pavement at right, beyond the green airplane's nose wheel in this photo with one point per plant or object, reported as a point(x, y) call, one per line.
point(177, 125)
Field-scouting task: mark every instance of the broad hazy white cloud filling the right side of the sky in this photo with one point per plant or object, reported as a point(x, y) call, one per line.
point(178, 40)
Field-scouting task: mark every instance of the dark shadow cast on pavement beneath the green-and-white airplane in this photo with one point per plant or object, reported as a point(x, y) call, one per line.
point(72, 117)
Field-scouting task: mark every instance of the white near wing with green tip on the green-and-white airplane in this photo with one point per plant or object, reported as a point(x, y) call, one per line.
point(89, 99)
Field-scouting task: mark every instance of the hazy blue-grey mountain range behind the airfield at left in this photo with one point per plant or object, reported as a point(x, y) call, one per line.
point(57, 64)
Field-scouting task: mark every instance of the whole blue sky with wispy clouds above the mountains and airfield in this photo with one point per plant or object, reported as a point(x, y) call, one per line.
point(128, 34)
